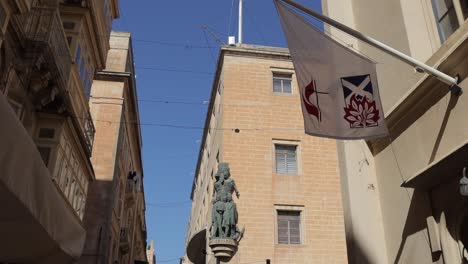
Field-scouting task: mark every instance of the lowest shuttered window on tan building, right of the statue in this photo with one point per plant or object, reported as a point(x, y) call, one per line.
point(289, 227)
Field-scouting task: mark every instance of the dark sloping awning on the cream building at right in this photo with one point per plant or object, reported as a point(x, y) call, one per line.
point(443, 170)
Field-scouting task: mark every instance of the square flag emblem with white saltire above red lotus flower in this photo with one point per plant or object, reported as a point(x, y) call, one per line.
point(360, 106)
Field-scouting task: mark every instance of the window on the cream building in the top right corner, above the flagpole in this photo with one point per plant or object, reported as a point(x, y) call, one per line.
point(446, 17)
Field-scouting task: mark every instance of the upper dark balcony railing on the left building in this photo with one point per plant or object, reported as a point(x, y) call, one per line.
point(44, 32)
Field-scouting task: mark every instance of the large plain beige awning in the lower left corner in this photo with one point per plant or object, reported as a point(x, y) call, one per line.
point(36, 223)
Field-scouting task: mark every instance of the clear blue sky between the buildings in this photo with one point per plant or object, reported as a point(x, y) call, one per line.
point(174, 64)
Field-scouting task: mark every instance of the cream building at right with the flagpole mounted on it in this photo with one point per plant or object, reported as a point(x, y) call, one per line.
point(401, 194)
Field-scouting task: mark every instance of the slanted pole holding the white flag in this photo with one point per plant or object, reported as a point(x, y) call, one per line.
point(453, 82)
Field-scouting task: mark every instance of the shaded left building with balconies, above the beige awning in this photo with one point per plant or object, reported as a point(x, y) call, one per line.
point(49, 52)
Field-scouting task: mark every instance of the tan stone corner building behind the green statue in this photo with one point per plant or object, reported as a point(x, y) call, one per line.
point(290, 201)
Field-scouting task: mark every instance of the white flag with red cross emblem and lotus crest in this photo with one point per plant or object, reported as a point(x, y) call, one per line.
point(339, 92)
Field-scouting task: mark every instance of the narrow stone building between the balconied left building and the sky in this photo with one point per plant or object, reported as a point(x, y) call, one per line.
point(115, 209)
